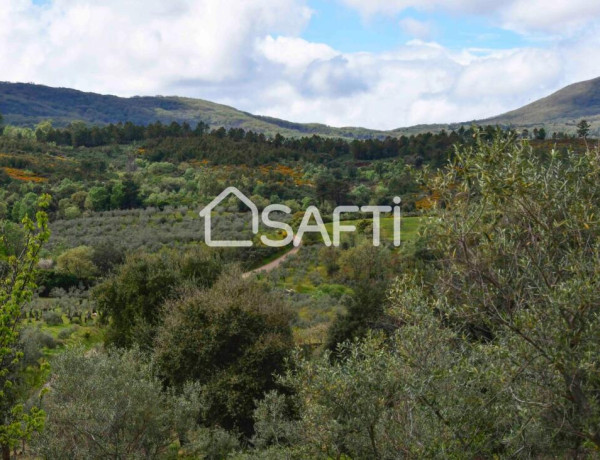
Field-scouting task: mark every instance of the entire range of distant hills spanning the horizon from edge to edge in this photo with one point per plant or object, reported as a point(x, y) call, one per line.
point(27, 104)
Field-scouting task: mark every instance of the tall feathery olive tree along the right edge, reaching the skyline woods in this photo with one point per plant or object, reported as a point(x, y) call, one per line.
point(518, 257)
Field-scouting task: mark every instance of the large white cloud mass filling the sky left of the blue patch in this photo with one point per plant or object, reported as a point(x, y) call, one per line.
point(139, 46)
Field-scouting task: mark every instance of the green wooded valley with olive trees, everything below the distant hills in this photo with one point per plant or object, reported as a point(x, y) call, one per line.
point(124, 336)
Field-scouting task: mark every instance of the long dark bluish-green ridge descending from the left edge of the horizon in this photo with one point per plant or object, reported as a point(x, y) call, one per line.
point(25, 104)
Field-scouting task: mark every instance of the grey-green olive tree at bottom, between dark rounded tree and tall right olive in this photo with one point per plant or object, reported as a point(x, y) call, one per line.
point(382, 400)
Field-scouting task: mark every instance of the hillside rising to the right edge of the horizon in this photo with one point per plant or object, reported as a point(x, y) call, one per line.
point(560, 111)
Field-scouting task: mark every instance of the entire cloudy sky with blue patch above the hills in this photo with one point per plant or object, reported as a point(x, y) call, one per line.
point(380, 64)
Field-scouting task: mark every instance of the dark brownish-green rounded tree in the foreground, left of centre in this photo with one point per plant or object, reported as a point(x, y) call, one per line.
point(231, 339)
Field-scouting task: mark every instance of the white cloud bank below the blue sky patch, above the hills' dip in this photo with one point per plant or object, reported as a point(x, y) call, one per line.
point(424, 82)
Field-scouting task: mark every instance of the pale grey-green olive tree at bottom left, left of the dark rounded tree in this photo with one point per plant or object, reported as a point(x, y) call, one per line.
point(110, 405)
